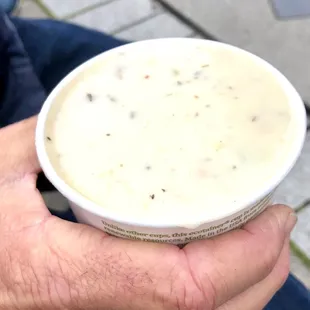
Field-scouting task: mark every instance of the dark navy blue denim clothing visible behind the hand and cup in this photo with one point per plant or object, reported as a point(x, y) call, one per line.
point(35, 55)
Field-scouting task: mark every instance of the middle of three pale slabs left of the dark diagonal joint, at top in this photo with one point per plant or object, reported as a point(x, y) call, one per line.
point(117, 15)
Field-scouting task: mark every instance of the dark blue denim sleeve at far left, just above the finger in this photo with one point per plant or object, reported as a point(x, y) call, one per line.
point(21, 93)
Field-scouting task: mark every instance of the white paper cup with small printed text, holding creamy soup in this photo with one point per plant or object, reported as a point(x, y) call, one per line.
point(88, 212)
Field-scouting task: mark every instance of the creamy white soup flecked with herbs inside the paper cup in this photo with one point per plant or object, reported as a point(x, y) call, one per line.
point(171, 132)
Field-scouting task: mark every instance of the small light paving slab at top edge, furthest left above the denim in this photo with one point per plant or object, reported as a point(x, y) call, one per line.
point(61, 8)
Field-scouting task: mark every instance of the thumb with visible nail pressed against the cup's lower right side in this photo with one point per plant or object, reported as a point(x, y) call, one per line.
point(227, 265)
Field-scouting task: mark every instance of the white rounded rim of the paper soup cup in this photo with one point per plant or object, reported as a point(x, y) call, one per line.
point(91, 207)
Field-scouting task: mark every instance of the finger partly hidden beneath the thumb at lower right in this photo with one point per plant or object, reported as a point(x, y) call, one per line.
point(258, 296)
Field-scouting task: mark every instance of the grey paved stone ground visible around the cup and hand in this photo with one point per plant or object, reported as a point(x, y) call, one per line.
point(250, 24)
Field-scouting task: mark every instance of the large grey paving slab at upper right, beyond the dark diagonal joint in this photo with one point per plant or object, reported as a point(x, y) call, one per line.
point(253, 26)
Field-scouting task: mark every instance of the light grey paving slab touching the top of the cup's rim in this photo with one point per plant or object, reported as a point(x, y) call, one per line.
point(161, 26)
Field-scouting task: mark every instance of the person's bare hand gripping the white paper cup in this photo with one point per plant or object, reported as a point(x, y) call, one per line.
point(48, 263)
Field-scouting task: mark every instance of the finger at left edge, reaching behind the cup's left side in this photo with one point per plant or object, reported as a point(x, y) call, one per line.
point(17, 153)
